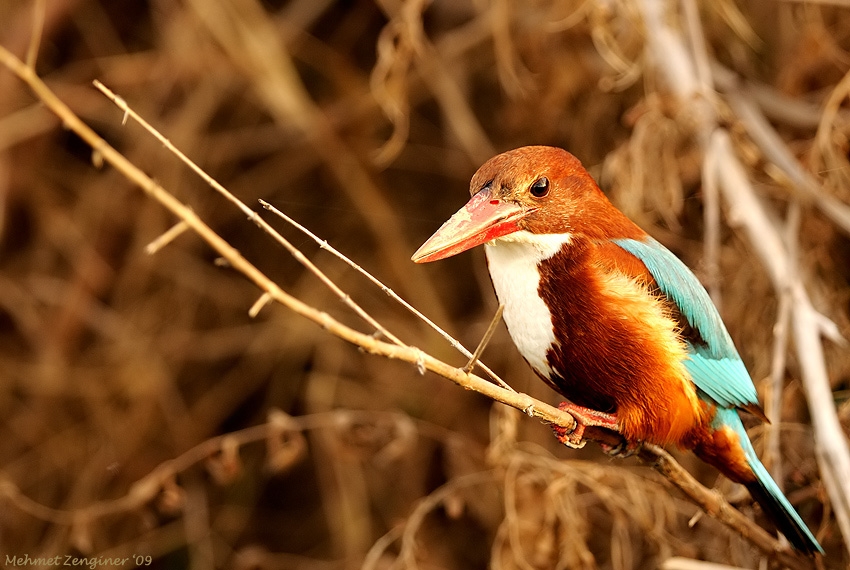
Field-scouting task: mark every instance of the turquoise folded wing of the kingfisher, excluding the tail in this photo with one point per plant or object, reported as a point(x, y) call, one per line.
point(714, 363)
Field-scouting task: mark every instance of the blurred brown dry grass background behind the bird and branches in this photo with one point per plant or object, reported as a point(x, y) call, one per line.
point(364, 120)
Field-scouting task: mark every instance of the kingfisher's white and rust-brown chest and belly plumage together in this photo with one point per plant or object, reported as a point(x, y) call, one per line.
point(595, 334)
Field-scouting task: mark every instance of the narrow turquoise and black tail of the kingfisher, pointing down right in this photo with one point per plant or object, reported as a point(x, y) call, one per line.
point(767, 493)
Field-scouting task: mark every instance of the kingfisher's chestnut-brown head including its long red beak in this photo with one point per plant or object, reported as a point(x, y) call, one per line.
point(537, 189)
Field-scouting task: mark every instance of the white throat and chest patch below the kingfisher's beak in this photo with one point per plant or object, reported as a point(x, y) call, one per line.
point(512, 261)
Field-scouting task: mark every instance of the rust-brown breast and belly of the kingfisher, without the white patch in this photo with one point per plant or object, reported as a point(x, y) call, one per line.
point(617, 349)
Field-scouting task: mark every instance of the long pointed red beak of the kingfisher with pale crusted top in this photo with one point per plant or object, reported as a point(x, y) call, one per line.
point(482, 219)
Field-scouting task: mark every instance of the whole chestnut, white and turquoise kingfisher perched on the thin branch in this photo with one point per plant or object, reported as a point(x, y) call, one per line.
point(611, 319)
